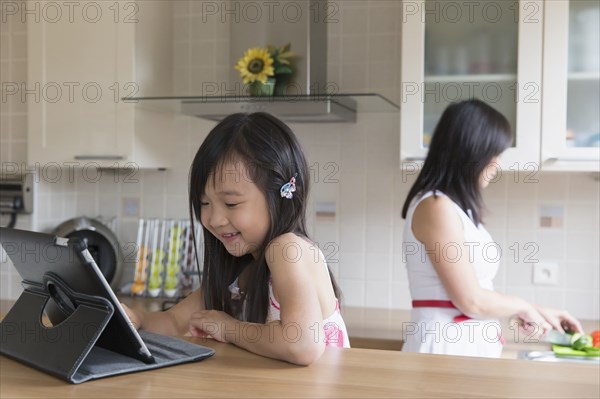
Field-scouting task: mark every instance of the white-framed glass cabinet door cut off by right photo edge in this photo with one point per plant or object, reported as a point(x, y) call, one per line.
point(571, 100)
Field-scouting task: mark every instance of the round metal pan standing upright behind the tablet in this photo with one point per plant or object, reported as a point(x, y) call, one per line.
point(102, 244)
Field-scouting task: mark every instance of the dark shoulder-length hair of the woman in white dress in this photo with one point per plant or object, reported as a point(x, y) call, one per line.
point(466, 139)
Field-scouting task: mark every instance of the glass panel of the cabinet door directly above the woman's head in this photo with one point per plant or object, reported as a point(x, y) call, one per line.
point(471, 51)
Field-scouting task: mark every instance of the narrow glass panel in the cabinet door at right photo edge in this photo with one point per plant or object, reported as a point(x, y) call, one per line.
point(583, 84)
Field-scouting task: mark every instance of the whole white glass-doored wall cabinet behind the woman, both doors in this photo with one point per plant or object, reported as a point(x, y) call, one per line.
point(523, 58)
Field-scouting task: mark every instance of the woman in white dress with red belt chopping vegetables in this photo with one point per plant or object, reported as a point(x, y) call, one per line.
point(447, 250)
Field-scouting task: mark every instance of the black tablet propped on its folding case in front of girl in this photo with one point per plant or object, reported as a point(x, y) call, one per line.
point(36, 254)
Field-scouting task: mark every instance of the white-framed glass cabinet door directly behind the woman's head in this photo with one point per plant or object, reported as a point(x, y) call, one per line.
point(489, 50)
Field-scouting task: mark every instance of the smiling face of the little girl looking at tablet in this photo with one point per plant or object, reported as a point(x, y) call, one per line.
point(234, 209)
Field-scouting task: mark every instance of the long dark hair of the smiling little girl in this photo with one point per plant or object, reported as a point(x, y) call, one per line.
point(272, 155)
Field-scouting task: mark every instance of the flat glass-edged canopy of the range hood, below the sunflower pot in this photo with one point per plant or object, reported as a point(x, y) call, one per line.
point(298, 108)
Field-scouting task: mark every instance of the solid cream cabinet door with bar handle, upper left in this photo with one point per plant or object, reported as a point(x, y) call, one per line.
point(79, 64)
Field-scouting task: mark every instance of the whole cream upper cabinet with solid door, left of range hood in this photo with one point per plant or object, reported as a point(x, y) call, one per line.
point(83, 57)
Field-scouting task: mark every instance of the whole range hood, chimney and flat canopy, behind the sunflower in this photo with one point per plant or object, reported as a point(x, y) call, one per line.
point(308, 97)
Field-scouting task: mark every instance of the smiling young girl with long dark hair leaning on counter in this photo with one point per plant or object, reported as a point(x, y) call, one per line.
point(265, 286)
